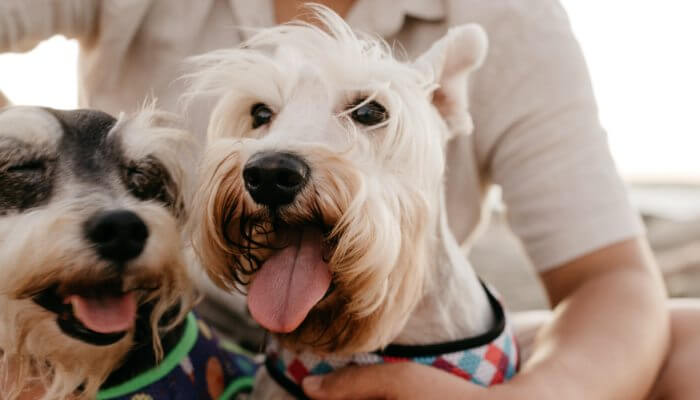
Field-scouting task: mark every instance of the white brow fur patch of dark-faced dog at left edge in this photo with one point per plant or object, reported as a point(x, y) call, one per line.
point(31, 125)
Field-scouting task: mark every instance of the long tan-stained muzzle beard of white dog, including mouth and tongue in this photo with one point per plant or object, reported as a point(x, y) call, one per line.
point(333, 271)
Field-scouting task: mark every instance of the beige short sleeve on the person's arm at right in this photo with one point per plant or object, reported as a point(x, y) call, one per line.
point(539, 137)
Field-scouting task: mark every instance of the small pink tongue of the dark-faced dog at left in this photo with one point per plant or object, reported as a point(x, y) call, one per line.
point(105, 315)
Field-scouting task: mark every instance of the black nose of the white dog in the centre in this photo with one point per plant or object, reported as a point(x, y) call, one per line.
point(275, 179)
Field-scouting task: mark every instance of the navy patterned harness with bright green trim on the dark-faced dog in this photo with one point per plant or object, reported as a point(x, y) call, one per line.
point(198, 367)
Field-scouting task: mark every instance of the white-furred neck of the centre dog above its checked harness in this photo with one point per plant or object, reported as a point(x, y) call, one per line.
point(455, 305)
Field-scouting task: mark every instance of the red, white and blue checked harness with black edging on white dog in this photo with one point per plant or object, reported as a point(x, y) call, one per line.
point(487, 359)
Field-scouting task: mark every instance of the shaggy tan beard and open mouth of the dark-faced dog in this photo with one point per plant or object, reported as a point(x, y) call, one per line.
point(62, 350)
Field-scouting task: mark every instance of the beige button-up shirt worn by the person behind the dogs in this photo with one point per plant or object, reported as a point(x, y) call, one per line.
point(537, 130)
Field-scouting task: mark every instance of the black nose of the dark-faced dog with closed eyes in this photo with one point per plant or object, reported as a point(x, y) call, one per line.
point(118, 235)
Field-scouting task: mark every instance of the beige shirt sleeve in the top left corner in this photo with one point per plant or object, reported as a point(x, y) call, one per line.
point(24, 23)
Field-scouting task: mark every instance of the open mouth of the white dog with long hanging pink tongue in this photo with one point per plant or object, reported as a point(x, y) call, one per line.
point(293, 275)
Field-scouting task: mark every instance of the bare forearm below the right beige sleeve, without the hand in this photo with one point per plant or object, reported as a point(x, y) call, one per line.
point(609, 333)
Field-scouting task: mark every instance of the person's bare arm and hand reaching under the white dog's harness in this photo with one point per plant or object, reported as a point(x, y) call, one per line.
point(607, 340)
